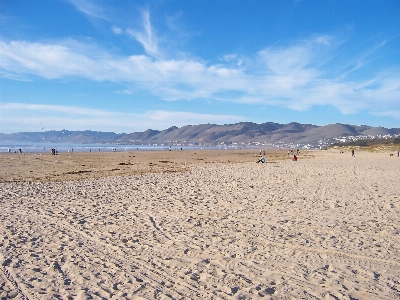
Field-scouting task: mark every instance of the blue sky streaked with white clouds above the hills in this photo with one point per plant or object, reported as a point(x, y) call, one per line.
point(127, 66)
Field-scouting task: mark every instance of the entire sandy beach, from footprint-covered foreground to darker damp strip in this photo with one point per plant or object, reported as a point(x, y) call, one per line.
point(210, 225)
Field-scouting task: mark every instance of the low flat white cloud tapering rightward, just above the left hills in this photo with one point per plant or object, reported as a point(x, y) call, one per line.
point(16, 117)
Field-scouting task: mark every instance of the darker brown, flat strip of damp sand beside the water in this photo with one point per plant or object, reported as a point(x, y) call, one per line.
point(68, 166)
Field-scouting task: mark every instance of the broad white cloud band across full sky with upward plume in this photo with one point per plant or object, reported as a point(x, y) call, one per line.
point(293, 76)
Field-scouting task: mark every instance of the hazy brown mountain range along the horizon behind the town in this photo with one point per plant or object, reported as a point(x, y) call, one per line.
point(244, 132)
